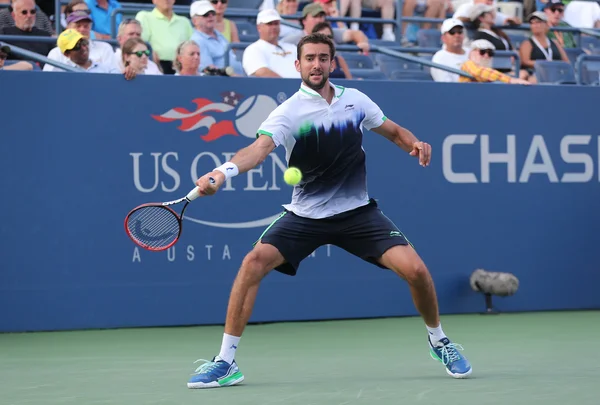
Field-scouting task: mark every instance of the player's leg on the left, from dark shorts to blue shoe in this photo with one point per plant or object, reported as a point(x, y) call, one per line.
point(283, 245)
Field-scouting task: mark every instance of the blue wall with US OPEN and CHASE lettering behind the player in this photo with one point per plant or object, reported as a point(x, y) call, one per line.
point(514, 186)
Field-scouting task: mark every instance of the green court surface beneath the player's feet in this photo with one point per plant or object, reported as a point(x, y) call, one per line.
point(534, 358)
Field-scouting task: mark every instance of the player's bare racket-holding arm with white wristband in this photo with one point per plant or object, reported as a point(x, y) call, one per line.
point(244, 160)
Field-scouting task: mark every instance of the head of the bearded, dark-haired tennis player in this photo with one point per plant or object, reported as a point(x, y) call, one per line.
point(315, 60)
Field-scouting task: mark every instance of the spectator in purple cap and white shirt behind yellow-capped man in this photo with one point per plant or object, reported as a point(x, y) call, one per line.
point(100, 53)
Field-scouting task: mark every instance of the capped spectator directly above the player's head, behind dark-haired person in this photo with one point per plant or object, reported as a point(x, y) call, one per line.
point(312, 14)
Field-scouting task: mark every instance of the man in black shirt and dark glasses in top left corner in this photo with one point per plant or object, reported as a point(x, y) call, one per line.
point(24, 14)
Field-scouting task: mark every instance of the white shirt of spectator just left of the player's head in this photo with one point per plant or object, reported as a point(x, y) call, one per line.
point(278, 58)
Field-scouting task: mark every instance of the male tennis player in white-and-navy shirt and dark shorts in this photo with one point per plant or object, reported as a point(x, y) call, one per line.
point(321, 129)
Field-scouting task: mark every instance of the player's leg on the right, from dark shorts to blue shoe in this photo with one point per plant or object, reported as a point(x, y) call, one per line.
point(370, 235)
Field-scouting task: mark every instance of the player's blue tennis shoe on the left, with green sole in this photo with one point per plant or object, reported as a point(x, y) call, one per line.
point(215, 373)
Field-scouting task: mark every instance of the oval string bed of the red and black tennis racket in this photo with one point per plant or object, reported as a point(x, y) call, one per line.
point(154, 226)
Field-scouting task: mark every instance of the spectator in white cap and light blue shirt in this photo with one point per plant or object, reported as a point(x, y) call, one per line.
point(213, 45)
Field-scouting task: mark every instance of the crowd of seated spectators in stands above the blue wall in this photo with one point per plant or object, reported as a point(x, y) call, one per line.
point(160, 41)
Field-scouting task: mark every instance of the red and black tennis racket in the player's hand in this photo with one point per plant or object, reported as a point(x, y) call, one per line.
point(156, 226)
